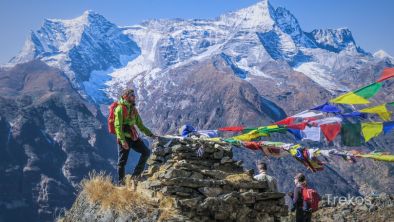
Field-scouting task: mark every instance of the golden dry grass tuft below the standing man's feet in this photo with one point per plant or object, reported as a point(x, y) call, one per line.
point(100, 189)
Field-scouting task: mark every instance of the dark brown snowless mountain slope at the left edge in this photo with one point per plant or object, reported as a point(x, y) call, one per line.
point(50, 138)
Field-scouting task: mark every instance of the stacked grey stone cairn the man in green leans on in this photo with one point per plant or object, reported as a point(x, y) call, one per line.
point(197, 180)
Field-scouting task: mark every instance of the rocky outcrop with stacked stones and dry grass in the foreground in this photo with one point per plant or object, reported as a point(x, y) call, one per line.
point(187, 180)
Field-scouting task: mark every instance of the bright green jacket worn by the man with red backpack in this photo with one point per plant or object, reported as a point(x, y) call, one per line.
point(130, 121)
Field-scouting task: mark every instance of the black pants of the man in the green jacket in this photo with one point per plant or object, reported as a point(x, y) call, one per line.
point(123, 155)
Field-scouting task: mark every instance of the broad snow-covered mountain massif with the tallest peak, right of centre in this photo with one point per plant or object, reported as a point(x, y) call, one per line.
point(248, 40)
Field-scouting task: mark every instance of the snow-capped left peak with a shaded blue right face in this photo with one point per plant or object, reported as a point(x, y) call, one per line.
point(83, 48)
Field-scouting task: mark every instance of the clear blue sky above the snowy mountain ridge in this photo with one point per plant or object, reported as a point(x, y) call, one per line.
point(371, 22)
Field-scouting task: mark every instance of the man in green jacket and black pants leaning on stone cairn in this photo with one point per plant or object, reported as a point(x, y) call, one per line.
point(126, 117)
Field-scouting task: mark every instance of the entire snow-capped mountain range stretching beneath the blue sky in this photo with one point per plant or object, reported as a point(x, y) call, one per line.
point(99, 57)
